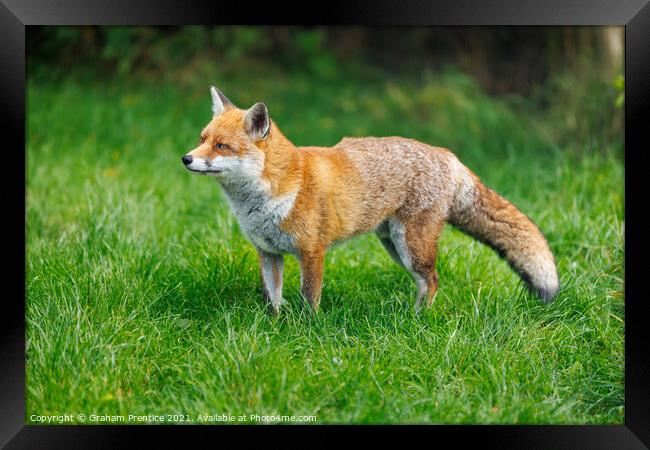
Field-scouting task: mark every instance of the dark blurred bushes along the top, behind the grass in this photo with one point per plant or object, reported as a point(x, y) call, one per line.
point(565, 74)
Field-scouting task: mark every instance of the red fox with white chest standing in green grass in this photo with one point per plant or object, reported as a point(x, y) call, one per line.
point(300, 201)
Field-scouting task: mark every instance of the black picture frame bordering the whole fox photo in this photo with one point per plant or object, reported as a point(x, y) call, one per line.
point(16, 15)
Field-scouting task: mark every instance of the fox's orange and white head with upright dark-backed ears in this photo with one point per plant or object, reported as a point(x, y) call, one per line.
point(231, 146)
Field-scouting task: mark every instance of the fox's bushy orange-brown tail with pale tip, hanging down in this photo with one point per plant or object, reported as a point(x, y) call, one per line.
point(490, 218)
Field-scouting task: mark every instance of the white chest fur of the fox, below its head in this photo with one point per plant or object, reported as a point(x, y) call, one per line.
point(260, 216)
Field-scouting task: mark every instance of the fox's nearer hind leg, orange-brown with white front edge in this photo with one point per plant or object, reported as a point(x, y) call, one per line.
point(415, 239)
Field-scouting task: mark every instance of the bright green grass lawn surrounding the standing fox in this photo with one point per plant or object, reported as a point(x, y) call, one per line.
point(143, 295)
